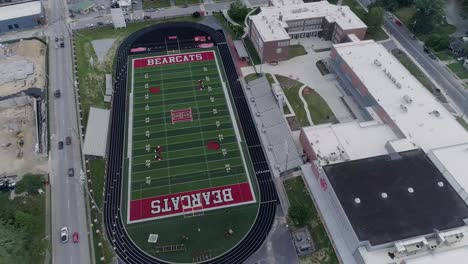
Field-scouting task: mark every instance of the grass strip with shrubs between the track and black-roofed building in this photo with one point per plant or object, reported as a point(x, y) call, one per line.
point(298, 195)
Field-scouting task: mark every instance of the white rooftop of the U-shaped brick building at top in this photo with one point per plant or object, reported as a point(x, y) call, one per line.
point(271, 28)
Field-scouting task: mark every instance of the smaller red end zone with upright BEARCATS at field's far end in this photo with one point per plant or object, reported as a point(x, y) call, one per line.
point(173, 59)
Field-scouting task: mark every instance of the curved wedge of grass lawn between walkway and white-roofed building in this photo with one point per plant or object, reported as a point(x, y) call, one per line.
point(318, 108)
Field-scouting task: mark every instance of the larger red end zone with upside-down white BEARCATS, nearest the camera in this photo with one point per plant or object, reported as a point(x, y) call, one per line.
point(193, 201)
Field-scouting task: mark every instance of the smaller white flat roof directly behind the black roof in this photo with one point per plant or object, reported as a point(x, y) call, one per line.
point(346, 140)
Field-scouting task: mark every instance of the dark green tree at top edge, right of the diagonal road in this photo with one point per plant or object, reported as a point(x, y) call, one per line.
point(429, 13)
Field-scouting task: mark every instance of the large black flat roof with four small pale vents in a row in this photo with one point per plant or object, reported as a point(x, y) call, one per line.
point(432, 204)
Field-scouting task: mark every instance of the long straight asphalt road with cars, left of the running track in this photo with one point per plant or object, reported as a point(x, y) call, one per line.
point(68, 204)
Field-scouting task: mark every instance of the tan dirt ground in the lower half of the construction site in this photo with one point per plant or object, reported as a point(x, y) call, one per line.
point(19, 123)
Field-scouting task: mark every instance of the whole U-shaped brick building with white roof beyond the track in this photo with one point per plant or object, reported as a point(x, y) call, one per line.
point(272, 29)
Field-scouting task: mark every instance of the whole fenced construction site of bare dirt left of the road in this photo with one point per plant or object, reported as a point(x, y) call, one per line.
point(23, 114)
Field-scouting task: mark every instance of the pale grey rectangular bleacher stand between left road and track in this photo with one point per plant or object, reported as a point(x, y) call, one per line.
point(96, 132)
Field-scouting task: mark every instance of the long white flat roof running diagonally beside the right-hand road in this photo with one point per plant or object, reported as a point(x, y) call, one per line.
point(415, 111)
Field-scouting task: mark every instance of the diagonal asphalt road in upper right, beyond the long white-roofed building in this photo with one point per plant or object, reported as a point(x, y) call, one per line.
point(436, 71)
